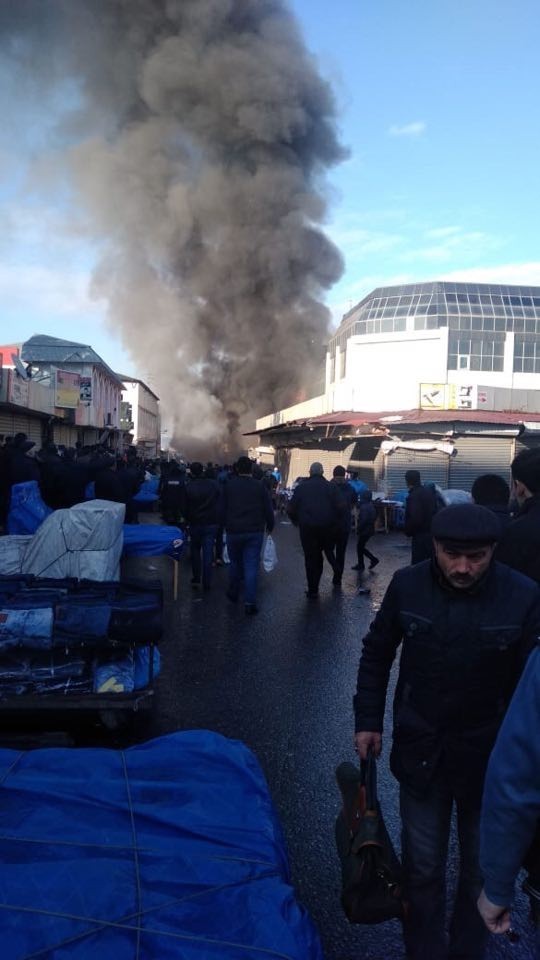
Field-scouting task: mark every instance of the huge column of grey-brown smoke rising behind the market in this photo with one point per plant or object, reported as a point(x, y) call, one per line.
point(197, 147)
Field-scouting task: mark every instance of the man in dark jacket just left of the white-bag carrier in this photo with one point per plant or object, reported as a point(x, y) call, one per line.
point(201, 511)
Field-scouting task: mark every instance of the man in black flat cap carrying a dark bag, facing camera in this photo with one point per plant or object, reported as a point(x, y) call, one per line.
point(466, 624)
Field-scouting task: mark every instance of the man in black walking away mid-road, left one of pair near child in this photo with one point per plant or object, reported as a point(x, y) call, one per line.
point(316, 509)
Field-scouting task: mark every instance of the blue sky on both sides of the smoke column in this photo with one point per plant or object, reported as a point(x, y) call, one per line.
point(438, 105)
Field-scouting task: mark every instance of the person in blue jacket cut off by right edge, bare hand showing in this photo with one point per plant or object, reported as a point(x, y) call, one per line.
point(511, 807)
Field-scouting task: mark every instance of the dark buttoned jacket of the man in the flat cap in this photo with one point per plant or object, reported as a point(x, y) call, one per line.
point(462, 654)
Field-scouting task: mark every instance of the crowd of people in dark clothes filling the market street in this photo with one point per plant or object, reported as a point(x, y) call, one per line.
point(466, 615)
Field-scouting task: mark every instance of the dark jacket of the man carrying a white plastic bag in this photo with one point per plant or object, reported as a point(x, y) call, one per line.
point(246, 506)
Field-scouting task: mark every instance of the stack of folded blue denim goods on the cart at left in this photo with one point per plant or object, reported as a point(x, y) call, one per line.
point(76, 636)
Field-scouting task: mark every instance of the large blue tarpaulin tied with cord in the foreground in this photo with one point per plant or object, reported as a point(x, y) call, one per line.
point(170, 850)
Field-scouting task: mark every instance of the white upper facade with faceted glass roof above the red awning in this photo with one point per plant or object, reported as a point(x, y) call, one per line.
point(437, 345)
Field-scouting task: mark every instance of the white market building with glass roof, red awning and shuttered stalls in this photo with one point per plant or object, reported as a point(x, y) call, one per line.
point(439, 376)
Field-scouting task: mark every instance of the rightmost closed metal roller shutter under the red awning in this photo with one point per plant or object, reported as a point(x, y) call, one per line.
point(478, 455)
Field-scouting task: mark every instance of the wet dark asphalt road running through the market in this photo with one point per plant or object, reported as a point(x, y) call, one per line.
point(282, 682)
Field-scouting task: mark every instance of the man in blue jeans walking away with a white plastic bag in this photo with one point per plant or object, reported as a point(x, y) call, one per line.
point(246, 511)
